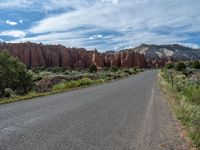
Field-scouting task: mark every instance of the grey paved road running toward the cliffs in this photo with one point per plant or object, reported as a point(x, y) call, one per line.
point(129, 114)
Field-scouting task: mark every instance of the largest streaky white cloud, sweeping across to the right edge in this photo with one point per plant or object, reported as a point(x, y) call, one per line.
point(127, 13)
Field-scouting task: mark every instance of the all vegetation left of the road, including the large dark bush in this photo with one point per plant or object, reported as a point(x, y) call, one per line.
point(19, 83)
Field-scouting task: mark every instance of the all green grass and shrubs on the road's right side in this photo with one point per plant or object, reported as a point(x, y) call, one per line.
point(181, 82)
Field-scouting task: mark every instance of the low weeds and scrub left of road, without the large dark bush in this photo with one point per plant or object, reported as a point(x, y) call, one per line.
point(71, 79)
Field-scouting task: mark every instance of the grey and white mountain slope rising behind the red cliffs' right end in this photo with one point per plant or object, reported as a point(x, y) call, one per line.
point(158, 55)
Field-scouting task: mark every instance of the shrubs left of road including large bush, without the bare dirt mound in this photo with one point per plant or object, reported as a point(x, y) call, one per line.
point(16, 79)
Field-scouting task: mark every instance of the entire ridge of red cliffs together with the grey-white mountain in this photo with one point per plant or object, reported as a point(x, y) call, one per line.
point(144, 56)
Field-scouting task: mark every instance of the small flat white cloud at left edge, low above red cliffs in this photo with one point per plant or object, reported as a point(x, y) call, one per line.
point(13, 33)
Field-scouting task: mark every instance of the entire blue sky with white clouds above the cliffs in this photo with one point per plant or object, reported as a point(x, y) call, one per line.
point(101, 24)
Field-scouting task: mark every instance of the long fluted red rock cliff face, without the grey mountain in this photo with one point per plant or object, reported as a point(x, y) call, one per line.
point(34, 55)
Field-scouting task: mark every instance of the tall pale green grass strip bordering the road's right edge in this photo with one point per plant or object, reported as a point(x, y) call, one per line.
point(186, 111)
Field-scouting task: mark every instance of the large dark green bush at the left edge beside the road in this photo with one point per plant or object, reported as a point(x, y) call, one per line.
point(13, 75)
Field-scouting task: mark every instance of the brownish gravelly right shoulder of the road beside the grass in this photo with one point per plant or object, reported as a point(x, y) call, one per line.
point(160, 130)
